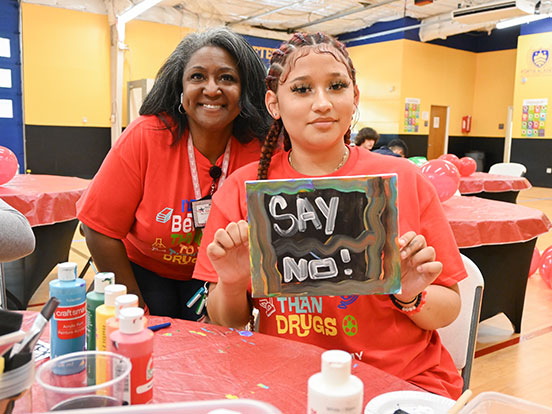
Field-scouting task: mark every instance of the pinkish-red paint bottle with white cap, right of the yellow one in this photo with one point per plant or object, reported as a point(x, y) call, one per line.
point(136, 343)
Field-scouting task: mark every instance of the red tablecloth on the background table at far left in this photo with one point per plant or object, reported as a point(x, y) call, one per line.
point(44, 199)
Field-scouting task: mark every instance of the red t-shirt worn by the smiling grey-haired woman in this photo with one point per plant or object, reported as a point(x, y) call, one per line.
point(142, 195)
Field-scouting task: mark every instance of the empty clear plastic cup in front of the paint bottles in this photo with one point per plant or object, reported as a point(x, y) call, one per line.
point(68, 385)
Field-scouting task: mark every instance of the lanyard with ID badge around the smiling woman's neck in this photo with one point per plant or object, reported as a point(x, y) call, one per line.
point(201, 206)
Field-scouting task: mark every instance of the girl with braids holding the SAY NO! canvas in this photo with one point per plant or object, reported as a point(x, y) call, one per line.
point(312, 95)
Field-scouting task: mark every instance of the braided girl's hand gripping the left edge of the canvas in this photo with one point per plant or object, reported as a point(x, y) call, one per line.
point(229, 255)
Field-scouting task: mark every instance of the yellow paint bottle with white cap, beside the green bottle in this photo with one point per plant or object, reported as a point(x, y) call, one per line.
point(103, 313)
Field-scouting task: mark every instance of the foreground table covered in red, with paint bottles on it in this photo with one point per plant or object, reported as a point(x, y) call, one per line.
point(195, 361)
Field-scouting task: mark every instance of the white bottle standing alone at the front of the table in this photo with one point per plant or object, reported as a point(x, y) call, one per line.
point(335, 390)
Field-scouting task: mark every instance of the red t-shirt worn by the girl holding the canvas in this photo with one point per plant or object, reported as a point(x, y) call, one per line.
point(370, 327)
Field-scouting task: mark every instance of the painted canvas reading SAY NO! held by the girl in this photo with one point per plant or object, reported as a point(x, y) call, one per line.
point(323, 236)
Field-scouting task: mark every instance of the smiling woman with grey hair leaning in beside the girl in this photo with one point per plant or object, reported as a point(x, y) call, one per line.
point(145, 210)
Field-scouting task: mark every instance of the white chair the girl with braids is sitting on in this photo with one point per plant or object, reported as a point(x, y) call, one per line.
point(459, 337)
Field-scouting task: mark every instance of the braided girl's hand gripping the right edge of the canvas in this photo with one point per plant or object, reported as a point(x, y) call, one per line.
point(418, 266)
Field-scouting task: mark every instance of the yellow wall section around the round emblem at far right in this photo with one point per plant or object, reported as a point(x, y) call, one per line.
point(531, 81)
